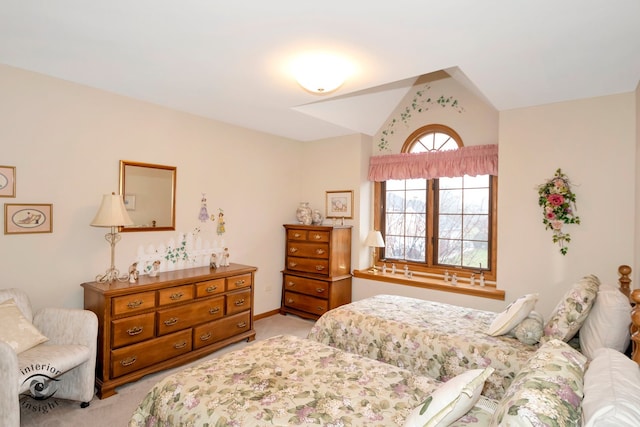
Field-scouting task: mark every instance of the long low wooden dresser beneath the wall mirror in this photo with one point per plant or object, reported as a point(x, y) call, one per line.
point(166, 321)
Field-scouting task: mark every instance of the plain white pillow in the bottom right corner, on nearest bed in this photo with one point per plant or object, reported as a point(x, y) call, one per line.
point(611, 391)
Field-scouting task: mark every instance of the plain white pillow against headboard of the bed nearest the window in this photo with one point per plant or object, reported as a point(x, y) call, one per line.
point(607, 324)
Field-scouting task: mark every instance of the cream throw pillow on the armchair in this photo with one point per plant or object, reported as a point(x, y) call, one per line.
point(16, 330)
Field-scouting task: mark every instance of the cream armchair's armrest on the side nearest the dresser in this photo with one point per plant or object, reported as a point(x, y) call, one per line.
point(67, 326)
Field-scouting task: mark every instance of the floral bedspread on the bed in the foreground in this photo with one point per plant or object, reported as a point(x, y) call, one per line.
point(284, 381)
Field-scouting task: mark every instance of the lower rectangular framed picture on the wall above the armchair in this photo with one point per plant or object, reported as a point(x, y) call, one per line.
point(28, 218)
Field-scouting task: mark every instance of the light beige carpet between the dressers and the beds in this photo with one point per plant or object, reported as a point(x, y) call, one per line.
point(115, 411)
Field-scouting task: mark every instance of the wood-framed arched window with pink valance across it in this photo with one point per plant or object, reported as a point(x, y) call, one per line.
point(438, 224)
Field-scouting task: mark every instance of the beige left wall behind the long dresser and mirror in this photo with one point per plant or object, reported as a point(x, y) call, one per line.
point(66, 141)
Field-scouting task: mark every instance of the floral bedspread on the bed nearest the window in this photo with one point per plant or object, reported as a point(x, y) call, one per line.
point(428, 338)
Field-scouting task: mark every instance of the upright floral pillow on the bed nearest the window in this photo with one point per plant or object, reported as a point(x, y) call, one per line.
point(570, 313)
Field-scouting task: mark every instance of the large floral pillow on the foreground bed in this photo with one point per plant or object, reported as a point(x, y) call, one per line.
point(547, 391)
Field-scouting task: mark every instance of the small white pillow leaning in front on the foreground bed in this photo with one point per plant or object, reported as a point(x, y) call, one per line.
point(450, 401)
